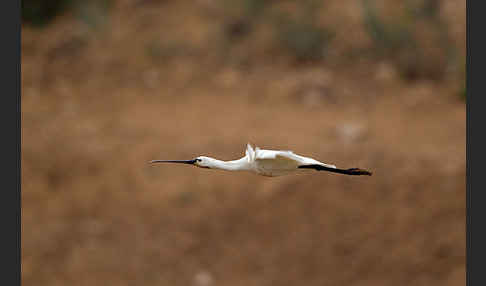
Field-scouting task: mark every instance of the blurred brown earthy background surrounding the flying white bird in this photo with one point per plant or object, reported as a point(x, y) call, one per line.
point(108, 86)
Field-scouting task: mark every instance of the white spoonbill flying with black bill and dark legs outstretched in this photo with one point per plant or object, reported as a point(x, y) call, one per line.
point(270, 163)
